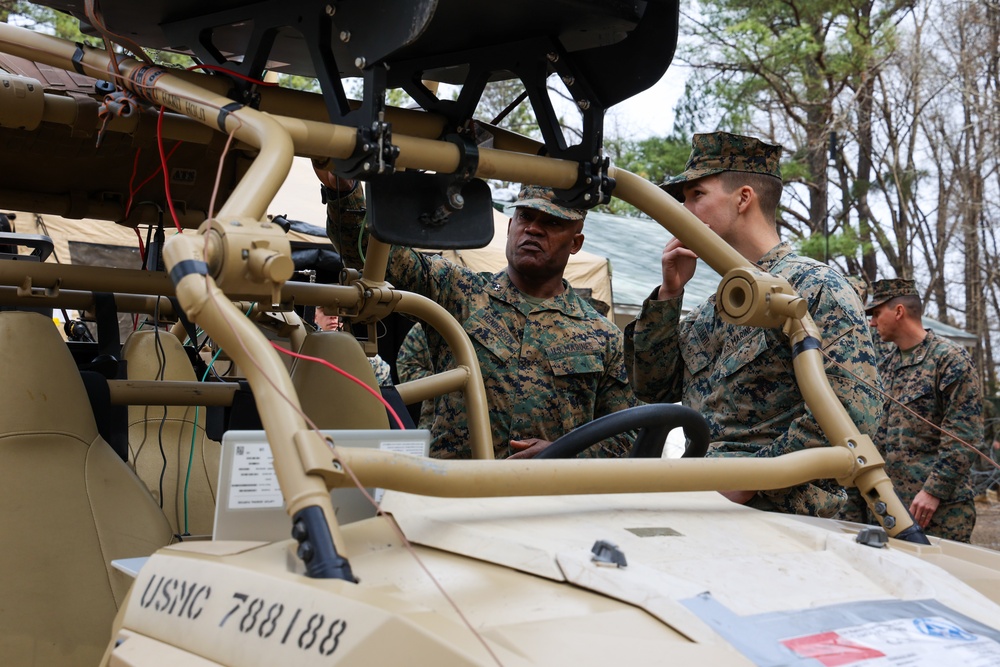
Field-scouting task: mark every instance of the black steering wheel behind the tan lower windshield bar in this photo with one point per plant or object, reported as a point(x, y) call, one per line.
point(654, 421)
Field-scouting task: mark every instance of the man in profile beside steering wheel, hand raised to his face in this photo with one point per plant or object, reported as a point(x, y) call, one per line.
point(741, 378)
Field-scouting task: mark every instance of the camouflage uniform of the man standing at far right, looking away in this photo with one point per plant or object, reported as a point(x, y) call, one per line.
point(935, 379)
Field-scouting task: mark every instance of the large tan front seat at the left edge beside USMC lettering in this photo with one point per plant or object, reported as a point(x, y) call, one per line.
point(70, 506)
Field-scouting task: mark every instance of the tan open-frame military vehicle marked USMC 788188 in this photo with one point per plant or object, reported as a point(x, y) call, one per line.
point(558, 561)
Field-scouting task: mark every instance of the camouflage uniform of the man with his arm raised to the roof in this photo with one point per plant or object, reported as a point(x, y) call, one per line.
point(548, 367)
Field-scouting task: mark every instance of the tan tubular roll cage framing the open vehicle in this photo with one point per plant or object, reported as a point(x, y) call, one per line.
point(250, 265)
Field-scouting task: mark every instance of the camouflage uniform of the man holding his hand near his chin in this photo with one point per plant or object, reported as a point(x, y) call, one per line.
point(741, 379)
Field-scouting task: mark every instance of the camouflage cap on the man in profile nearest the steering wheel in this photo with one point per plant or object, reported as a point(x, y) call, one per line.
point(716, 152)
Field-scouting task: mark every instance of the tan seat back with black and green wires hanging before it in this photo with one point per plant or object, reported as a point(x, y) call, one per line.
point(148, 428)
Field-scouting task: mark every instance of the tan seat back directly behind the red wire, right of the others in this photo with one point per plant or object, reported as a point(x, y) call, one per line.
point(328, 398)
